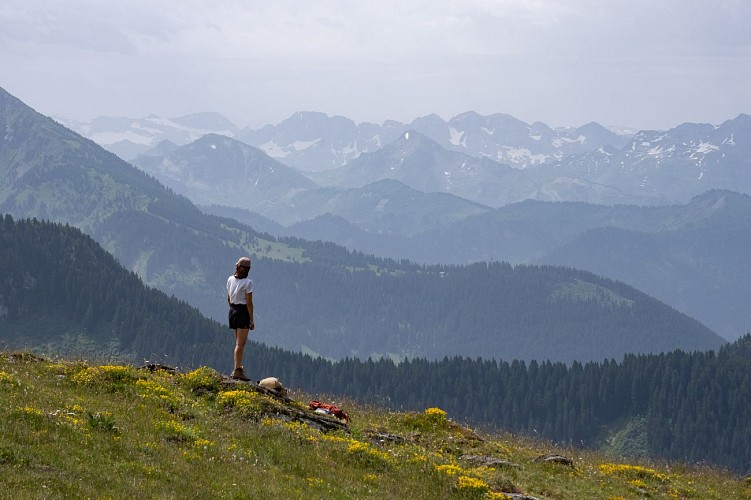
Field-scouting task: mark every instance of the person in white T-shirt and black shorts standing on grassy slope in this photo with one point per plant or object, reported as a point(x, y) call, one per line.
point(240, 300)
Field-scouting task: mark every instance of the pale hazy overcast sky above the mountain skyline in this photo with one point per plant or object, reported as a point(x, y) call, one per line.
point(638, 63)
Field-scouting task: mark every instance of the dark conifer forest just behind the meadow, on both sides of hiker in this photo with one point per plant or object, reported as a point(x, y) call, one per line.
point(62, 294)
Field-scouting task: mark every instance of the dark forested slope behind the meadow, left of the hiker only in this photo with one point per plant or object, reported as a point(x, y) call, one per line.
point(63, 293)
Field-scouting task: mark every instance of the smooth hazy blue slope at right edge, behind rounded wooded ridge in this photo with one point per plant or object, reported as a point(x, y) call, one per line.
point(699, 263)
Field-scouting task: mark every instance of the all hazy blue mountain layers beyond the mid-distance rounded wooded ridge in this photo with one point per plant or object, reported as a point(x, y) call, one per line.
point(451, 192)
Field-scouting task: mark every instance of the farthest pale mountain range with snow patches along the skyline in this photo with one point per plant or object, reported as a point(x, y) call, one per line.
point(313, 141)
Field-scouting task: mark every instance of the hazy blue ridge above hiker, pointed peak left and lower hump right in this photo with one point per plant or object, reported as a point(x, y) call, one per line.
point(220, 171)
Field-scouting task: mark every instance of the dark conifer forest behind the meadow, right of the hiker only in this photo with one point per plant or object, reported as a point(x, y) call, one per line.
point(688, 407)
